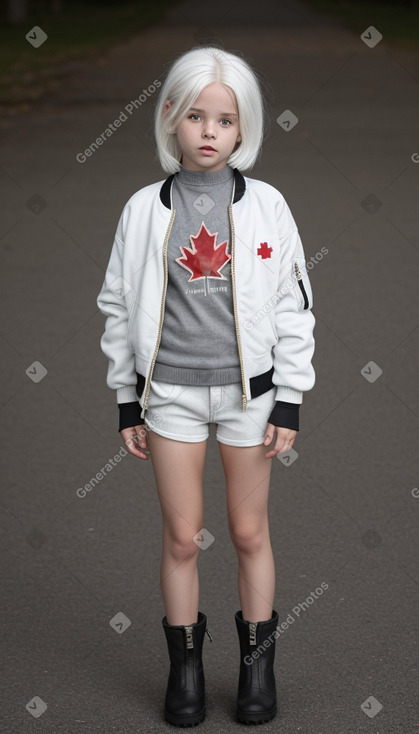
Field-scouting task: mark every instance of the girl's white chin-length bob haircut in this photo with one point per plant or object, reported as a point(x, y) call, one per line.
point(187, 77)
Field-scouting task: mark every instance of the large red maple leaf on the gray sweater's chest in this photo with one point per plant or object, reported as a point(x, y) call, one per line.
point(204, 257)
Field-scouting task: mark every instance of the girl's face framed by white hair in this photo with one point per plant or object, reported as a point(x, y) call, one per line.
point(212, 121)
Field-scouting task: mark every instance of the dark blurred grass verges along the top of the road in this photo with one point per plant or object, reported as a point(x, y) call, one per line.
point(82, 29)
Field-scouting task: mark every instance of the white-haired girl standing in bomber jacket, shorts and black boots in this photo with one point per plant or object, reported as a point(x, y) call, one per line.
point(209, 320)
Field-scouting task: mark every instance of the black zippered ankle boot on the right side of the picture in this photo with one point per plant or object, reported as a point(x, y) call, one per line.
point(256, 697)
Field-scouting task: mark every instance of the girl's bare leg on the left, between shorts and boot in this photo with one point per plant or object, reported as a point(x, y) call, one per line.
point(178, 469)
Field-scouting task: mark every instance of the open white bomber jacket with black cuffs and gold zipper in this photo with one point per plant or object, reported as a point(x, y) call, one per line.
point(272, 297)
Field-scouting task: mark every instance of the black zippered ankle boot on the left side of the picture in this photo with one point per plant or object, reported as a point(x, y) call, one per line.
point(185, 696)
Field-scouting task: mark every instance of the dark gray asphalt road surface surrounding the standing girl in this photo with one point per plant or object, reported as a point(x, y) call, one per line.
point(344, 513)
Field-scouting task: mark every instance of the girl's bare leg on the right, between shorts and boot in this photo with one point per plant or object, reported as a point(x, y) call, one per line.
point(247, 474)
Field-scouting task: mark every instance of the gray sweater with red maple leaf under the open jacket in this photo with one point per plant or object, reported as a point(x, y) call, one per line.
point(198, 342)
